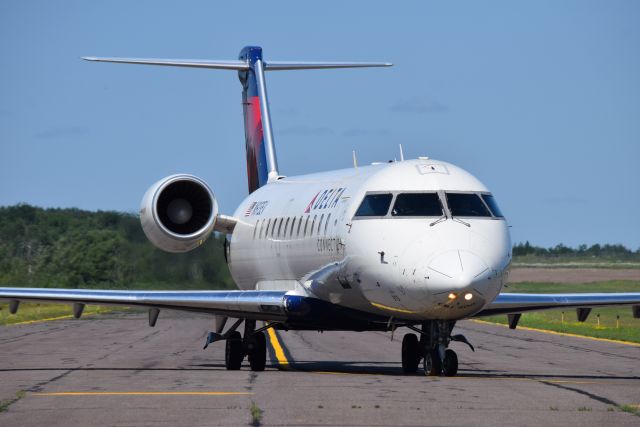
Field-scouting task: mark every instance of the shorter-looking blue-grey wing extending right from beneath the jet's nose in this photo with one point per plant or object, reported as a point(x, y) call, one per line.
point(507, 303)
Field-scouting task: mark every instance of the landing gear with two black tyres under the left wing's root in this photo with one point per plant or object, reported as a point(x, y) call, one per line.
point(253, 346)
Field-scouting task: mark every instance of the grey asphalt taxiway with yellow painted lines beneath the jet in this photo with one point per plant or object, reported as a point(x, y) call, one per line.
point(115, 370)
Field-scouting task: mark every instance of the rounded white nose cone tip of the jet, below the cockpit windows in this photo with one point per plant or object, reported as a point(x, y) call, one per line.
point(455, 271)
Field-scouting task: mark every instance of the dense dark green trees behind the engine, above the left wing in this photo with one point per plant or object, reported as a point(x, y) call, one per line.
point(80, 249)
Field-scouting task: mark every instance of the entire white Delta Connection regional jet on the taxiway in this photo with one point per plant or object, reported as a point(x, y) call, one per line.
point(415, 243)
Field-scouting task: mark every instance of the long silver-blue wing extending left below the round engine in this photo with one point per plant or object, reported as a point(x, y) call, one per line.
point(258, 305)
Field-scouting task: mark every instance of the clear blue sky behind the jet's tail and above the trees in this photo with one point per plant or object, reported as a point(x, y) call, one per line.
point(540, 100)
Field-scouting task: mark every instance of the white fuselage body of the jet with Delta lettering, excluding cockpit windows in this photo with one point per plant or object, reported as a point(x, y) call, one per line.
point(300, 234)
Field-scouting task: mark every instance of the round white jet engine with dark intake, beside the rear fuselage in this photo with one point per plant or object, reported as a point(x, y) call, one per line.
point(178, 213)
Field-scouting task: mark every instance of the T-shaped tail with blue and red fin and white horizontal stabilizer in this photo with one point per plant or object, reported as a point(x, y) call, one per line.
point(262, 164)
